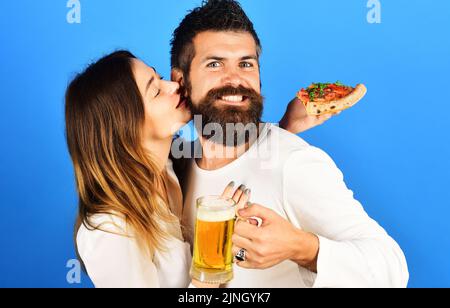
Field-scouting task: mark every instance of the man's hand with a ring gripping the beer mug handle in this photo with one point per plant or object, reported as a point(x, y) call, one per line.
point(275, 241)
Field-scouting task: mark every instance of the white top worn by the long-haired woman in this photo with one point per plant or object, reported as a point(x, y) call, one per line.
point(113, 260)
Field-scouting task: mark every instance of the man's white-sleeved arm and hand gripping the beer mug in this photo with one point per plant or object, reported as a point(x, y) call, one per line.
point(337, 239)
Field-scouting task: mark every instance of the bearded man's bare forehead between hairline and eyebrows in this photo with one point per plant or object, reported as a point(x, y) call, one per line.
point(224, 44)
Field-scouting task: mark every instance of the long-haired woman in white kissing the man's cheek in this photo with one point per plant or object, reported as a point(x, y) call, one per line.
point(120, 121)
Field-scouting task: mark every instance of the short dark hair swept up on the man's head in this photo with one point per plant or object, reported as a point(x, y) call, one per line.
point(212, 15)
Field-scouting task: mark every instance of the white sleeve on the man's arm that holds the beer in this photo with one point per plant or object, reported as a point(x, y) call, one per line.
point(354, 250)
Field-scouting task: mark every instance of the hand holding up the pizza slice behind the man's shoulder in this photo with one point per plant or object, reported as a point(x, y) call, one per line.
point(296, 120)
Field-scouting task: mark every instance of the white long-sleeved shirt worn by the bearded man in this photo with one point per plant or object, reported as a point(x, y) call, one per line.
point(302, 184)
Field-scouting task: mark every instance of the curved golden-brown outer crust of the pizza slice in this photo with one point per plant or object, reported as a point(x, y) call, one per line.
point(320, 108)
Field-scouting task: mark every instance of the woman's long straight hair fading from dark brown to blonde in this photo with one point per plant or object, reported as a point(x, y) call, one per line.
point(114, 174)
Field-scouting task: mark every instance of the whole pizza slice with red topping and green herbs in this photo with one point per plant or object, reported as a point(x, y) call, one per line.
point(323, 98)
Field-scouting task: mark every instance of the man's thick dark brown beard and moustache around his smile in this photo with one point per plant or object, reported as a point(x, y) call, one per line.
point(243, 122)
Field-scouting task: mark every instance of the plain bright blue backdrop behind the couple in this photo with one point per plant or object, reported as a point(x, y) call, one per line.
point(393, 147)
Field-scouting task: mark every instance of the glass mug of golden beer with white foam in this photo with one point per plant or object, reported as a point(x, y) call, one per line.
point(214, 227)
